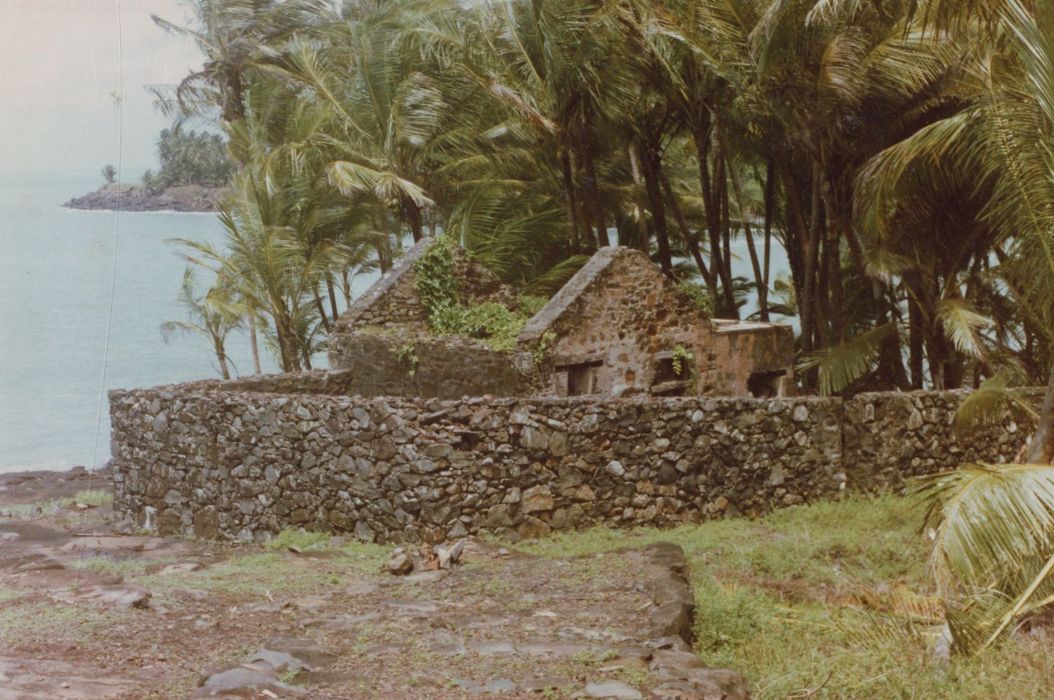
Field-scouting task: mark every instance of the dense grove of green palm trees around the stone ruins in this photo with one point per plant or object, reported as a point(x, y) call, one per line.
point(901, 154)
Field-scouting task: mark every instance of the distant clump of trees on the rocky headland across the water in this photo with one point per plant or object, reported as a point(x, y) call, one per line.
point(189, 158)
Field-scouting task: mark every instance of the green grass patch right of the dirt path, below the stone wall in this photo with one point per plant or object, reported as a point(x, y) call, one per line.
point(802, 604)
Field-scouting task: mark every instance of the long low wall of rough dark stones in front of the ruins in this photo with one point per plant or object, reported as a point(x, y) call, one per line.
point(244, 464)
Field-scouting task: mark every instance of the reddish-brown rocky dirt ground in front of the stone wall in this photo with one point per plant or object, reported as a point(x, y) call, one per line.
point(87, 613)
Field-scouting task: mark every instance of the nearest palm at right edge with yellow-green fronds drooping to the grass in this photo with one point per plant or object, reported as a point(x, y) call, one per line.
point(994, 552)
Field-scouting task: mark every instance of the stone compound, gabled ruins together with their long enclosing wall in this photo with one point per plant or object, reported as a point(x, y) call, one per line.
point(620, 404)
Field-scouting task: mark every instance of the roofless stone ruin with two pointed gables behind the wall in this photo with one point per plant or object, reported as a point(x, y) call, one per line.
point(618, 327)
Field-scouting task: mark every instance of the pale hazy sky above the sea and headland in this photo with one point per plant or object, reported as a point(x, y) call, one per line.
point(66, 63)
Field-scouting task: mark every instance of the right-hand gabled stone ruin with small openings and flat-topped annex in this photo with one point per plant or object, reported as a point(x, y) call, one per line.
point(621, 326)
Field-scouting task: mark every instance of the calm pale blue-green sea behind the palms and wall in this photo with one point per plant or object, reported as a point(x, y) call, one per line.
point(55, 288)
